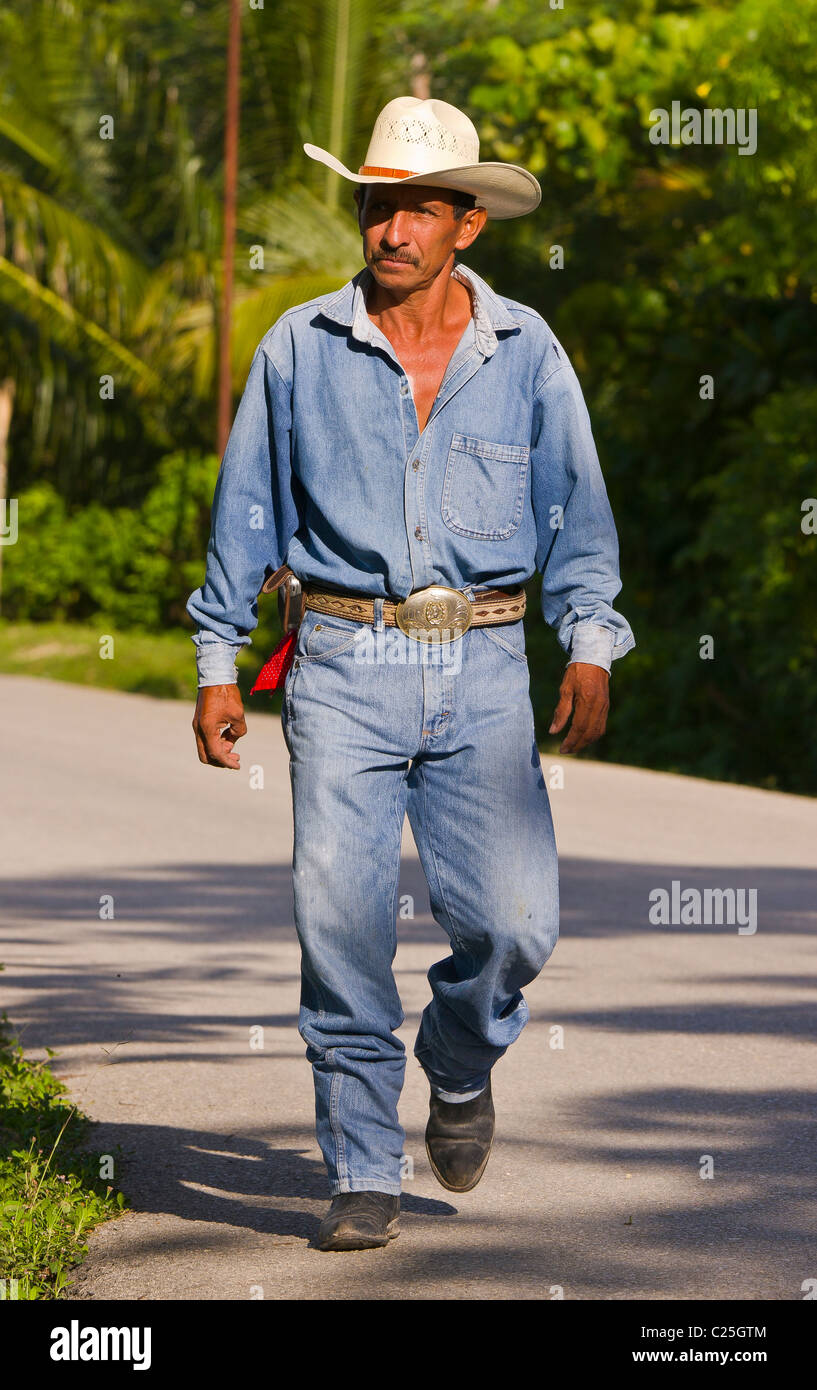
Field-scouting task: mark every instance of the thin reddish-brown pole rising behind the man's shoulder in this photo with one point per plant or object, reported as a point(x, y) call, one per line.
point(230, 198)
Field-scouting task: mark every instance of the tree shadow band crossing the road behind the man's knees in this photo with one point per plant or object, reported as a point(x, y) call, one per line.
point(230, 924)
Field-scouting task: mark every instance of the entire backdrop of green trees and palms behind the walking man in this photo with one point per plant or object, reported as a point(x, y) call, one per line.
point(680, 262)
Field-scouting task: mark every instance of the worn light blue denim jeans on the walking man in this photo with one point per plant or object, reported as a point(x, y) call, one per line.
point(380, 726)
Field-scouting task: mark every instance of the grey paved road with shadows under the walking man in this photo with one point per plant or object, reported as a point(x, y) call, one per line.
point(679, 1042)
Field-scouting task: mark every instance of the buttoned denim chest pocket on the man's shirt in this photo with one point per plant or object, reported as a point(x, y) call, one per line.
point(484, 489)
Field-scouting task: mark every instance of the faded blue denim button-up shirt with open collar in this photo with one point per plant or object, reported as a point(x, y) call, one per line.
point(327, 471)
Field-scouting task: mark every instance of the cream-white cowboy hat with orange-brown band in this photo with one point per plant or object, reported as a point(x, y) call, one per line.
point(415, 140)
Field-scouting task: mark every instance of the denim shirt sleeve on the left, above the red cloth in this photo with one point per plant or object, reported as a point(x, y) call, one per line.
point(254, 519)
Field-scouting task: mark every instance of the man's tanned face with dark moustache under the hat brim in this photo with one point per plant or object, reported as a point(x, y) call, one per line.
point(409, 231)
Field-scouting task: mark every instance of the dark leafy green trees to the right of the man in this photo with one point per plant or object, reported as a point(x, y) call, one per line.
point(679, 262)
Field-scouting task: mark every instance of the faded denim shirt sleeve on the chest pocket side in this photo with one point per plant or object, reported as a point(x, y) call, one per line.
point(577, 548)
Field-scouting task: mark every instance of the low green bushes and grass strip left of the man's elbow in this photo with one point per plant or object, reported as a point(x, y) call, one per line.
point(79, 575)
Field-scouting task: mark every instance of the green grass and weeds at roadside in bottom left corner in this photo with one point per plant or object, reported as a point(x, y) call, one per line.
point(51, 1191)
